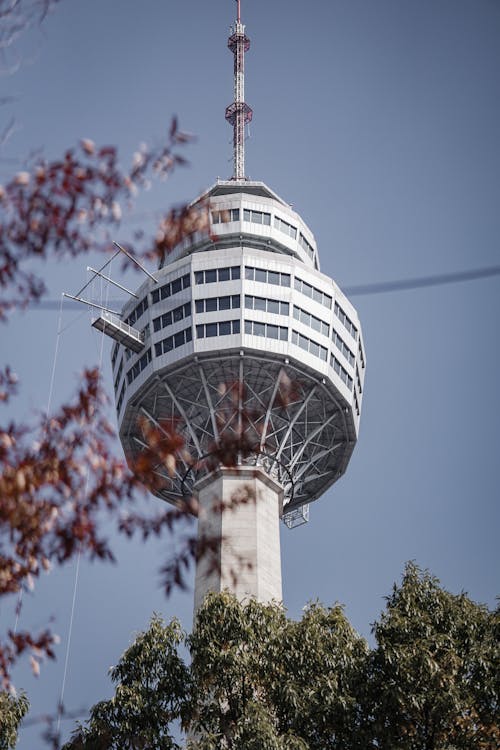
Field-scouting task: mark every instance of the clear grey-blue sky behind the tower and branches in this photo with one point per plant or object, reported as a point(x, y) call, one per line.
point(378, 120)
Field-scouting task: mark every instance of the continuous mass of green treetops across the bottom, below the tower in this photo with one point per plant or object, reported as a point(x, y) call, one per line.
point(260, 681)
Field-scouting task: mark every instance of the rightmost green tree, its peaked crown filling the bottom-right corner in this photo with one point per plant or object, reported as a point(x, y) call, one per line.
point(433, 679)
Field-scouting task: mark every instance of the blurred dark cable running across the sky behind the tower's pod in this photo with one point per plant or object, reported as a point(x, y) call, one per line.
point(379, 287)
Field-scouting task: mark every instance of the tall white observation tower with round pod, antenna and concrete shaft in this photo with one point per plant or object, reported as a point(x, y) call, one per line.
point(242, 343)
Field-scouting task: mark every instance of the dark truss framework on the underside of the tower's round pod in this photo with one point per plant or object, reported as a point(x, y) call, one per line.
point(265, 413)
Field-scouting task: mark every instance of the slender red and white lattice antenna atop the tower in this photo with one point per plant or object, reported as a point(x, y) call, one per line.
point(238, 113)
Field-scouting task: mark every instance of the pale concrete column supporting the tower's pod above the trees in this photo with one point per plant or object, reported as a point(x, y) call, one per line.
point(247, 560)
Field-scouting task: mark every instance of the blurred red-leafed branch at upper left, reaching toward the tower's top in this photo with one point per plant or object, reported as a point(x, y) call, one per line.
point(64, 207)
